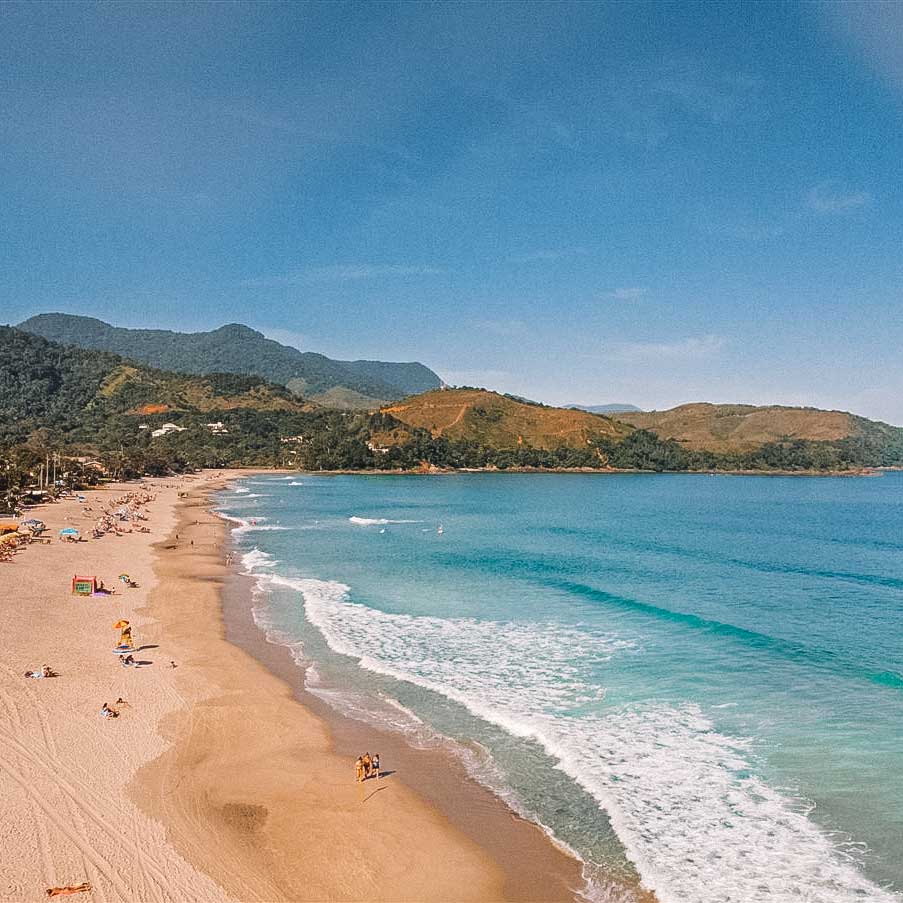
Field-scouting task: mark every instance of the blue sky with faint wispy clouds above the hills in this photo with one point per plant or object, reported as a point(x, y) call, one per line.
point(650, 203)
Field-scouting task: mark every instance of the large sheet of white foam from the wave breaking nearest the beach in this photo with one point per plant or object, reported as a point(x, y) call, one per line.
point(684, 799)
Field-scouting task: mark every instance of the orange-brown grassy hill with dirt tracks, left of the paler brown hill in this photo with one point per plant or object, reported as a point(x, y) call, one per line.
point(500, 421)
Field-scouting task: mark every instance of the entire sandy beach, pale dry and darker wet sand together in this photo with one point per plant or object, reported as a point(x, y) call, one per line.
point(214, 783)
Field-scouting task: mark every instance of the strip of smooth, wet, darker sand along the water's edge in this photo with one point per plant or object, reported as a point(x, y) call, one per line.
point(210, 773)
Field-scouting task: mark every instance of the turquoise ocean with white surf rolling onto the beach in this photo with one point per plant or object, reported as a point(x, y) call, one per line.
point(694, 681)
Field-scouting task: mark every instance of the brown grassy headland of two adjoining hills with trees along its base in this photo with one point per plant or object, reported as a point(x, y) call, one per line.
point(691, 437)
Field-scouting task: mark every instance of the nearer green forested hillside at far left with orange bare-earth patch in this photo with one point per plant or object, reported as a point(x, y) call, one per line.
point(73, 399)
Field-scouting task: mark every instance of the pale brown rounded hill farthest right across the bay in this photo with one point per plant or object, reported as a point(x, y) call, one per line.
point(741, 428)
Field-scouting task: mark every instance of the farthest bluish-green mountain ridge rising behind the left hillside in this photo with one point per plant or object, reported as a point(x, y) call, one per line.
point(239, 349)
